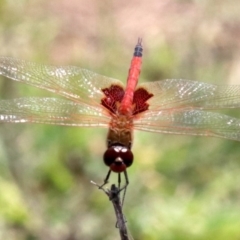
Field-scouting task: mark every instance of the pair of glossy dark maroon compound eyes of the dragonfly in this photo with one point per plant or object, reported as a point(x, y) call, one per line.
point(114, 153)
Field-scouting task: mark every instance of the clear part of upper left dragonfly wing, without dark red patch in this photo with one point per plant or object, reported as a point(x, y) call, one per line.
point(74, 83)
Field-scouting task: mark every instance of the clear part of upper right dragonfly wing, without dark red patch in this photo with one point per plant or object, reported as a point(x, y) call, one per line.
point(180, 93)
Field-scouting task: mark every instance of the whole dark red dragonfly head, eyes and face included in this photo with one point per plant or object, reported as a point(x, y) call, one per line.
point(118, 158)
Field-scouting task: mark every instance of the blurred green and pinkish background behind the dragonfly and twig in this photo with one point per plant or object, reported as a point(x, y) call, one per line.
point(181, 187)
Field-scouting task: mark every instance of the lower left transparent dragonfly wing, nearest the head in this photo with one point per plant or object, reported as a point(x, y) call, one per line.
point(52, 111)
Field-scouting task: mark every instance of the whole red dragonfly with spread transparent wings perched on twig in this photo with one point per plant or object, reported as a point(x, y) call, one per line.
point(173, 106)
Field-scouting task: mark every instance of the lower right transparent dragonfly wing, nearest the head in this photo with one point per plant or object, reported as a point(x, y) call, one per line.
point(190, 122)
